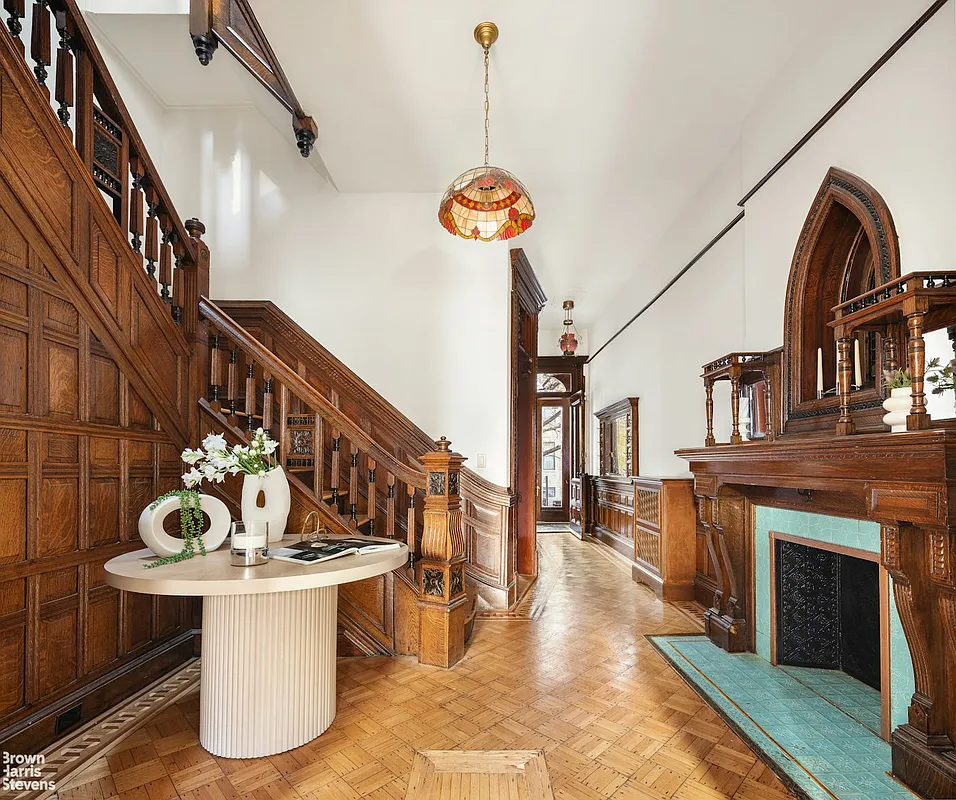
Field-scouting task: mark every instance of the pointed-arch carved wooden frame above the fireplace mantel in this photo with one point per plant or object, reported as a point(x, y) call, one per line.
point(849, 238)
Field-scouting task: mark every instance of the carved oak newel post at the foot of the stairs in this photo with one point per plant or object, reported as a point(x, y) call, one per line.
point(442, 600)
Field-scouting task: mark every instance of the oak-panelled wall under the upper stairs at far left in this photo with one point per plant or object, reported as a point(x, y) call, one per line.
point(89, 359)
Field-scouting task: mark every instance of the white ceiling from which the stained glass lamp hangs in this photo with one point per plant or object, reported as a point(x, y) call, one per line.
point(612, 114)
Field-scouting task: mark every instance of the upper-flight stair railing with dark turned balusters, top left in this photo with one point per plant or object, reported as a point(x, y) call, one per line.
point(96, 121)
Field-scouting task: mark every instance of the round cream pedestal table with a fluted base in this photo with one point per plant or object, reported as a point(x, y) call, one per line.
point(267, 680)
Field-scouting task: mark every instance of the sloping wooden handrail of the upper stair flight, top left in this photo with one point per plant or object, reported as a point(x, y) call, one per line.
point(81, 35)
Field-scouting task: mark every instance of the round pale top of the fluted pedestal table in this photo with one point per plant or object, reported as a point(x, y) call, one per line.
point(205, 576)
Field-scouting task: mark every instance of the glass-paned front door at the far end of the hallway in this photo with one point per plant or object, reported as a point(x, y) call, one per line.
point(554, 461)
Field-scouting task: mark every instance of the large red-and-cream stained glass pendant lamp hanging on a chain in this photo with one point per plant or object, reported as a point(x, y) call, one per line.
point(487, 202)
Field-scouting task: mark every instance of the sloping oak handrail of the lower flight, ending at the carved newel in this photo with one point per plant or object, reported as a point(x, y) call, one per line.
point(304, 391)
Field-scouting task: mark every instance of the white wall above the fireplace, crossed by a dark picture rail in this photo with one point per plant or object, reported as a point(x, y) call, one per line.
point(896, 133)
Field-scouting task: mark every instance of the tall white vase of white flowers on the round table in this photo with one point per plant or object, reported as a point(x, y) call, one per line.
point(261, 475)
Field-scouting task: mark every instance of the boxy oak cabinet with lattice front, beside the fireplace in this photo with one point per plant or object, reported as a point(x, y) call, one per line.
point(665, 536)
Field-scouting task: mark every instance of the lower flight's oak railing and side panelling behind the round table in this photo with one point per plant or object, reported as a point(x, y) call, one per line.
point(338, 475)
